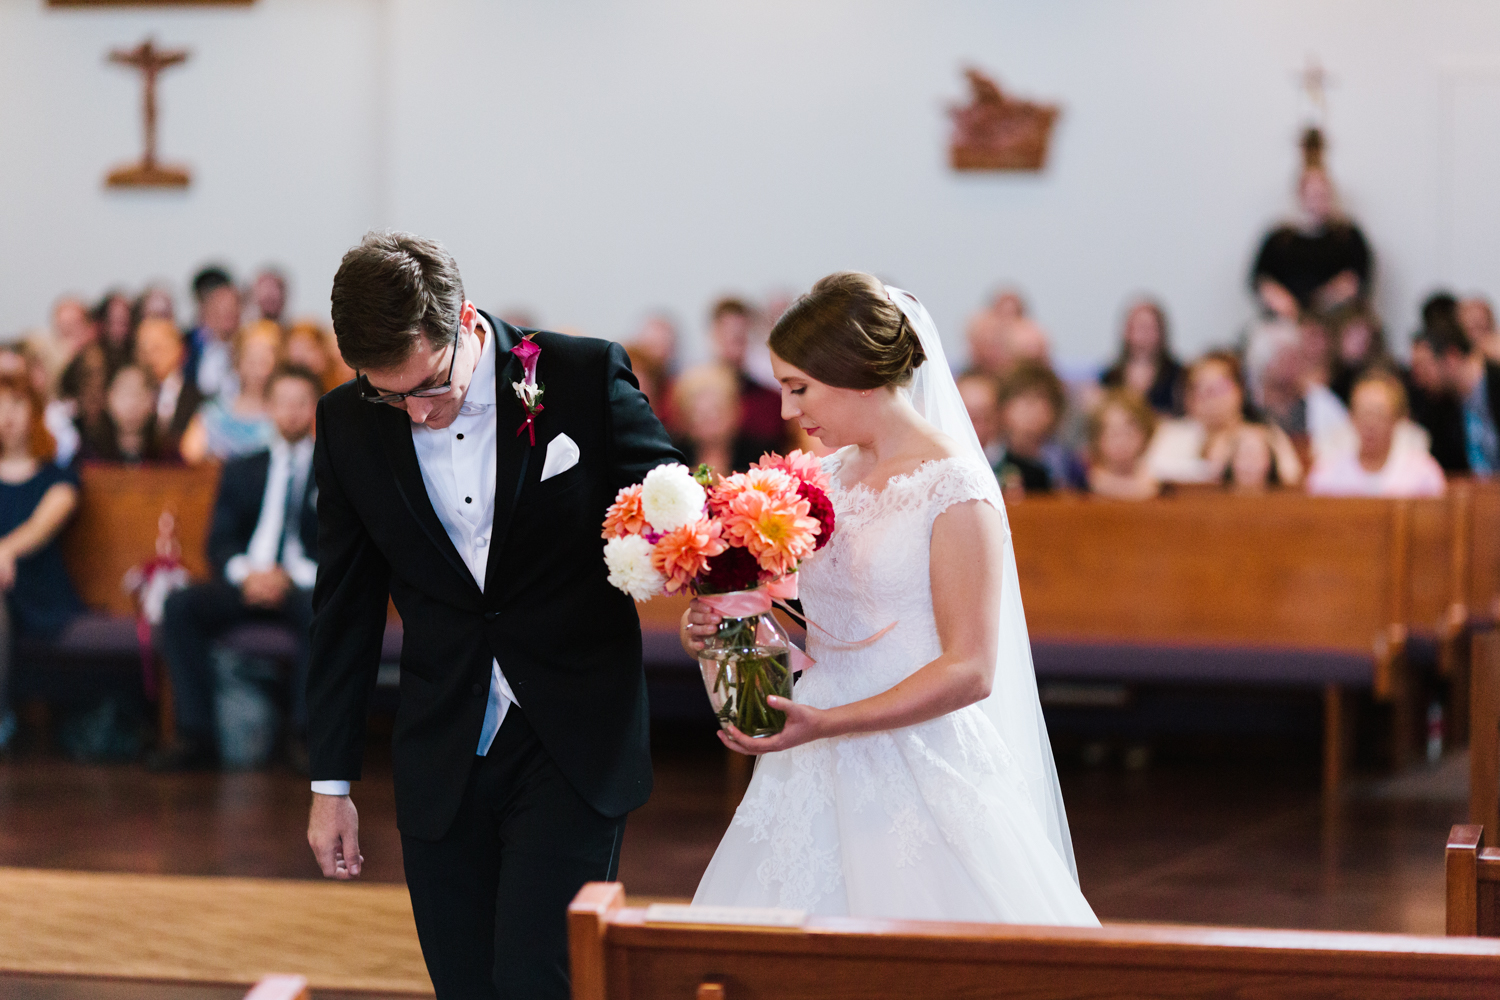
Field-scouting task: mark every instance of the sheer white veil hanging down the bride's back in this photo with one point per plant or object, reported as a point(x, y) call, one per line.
point(1013, 704)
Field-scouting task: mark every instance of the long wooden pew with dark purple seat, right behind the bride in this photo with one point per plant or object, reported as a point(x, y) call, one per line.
point(1210, 588)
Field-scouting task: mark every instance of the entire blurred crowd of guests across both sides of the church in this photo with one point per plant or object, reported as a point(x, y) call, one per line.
point(1310, 395)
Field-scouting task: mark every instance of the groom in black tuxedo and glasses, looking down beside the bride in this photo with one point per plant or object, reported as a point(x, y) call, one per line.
point(521, 740)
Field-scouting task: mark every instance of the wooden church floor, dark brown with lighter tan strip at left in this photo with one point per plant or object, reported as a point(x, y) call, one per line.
point(1222, 840)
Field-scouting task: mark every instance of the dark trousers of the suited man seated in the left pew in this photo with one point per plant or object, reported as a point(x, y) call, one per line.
point(194, 620)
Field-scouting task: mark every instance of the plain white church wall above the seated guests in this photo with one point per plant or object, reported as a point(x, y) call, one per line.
point(599, 158)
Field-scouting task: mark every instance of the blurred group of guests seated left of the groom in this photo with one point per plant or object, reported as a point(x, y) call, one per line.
point(119, 382)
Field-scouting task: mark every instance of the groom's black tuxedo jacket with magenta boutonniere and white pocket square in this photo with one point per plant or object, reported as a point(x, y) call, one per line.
point(566, 639)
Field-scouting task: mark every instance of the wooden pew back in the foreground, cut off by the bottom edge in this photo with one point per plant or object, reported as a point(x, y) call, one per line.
point(617, 956)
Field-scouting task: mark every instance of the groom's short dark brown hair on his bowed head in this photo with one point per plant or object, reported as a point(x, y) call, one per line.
point(392, 290)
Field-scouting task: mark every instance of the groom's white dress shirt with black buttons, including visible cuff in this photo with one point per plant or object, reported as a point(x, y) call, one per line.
point(458, 469)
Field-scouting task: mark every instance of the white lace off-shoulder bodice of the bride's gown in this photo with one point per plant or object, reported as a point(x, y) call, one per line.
point(875, 572)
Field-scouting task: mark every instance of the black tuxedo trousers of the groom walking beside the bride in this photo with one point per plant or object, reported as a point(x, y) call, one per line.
point(491, 897)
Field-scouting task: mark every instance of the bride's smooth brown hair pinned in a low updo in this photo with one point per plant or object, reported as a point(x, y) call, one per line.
point(848, 334)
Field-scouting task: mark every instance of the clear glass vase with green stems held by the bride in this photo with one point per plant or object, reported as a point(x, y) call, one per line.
point(746, 662)
